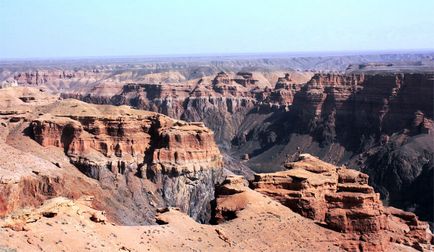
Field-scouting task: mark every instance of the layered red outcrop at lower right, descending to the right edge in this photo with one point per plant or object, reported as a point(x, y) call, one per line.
point(342, 200)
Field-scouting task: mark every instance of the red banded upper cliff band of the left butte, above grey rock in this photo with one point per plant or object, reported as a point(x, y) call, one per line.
point(172, 145)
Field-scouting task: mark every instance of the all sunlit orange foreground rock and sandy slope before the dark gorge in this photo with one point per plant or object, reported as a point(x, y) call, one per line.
point(138, 165)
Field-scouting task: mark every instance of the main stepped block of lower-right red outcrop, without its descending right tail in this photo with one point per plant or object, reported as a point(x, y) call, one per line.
point(338, 196)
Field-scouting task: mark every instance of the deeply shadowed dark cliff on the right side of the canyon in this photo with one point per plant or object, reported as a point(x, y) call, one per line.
point(389, 122)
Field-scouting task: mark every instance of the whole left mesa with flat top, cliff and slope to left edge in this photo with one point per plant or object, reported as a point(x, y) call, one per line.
point(137, 161)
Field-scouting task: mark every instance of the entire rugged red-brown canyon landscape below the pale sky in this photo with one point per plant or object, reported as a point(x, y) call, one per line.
point(217, 154)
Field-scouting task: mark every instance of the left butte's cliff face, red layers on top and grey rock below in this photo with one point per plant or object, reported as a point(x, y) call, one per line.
point(181, 159)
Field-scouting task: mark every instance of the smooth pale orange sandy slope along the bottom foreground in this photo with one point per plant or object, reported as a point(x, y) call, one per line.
point(256, 223)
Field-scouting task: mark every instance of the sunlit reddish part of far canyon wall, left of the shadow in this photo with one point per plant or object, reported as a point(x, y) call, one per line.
point(221, 101)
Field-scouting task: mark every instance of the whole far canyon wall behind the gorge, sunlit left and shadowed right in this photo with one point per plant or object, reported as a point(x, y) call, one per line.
point(379, 122)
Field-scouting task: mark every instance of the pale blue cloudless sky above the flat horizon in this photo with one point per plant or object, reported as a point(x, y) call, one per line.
point(94, 28)
